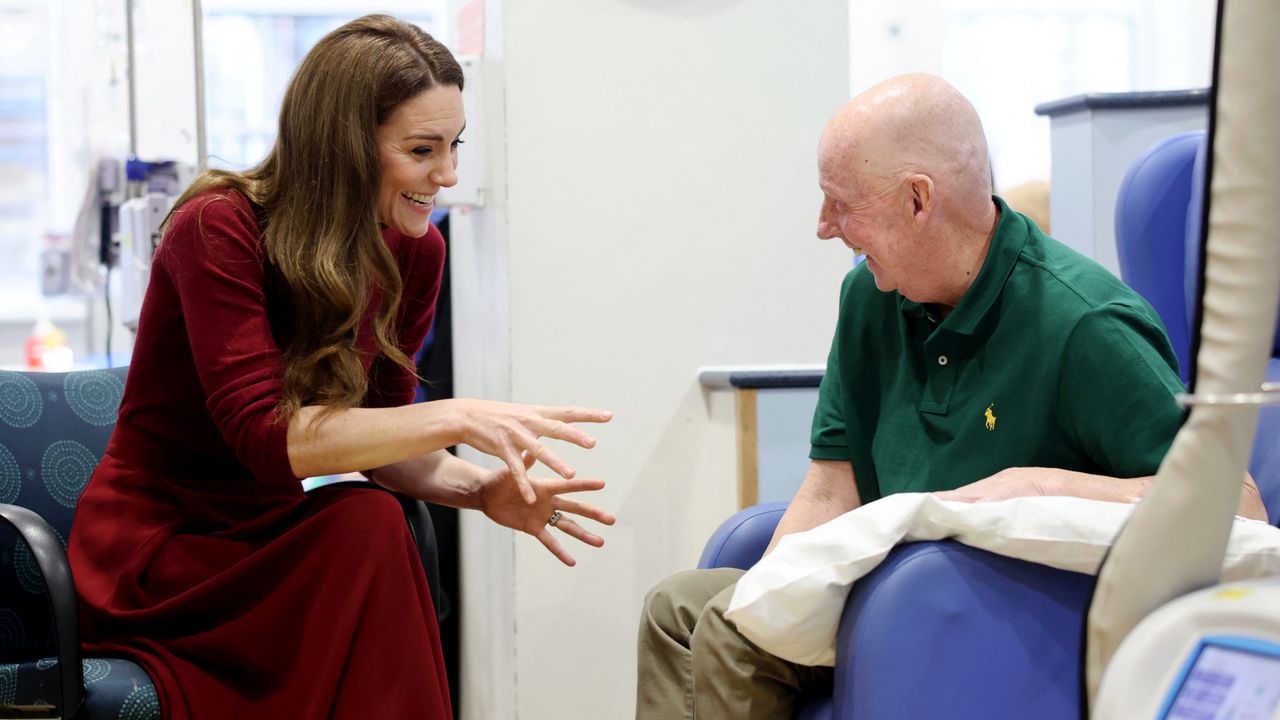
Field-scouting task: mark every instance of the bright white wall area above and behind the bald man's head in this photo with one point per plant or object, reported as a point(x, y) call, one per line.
point(1011, 56)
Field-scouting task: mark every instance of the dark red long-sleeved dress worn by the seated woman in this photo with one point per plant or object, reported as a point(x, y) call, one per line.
point(194, 549)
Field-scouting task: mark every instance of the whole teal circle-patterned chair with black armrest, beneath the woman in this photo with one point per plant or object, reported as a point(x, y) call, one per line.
point(53, 431)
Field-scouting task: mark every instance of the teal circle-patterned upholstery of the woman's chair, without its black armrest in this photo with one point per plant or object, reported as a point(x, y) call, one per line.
point(53, 432)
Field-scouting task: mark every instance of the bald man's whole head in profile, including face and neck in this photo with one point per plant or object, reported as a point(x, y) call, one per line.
point(906, 180)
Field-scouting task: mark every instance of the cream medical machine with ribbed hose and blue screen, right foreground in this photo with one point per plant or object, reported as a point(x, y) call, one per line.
point(1164, 640)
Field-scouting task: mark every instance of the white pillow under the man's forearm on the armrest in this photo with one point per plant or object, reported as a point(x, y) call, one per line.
point(792, 601)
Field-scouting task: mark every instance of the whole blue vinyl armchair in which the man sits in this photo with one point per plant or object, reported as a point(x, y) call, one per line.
point(941, 630)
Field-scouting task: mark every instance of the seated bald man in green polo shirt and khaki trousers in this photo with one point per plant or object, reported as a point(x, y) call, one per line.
point(975, 357)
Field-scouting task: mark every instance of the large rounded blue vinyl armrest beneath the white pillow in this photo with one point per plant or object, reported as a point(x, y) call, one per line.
point(991, 636)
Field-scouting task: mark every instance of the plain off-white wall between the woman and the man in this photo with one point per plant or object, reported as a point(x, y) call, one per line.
point(657, 213)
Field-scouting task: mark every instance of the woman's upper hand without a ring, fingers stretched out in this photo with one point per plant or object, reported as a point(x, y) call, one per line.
point(509, 430)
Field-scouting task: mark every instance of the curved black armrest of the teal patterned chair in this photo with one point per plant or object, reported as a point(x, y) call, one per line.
point(52, 560)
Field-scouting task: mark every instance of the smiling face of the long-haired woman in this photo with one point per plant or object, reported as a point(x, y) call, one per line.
point(418, 152)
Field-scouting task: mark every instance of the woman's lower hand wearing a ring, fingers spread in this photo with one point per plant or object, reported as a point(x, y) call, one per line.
point(501, 500)
